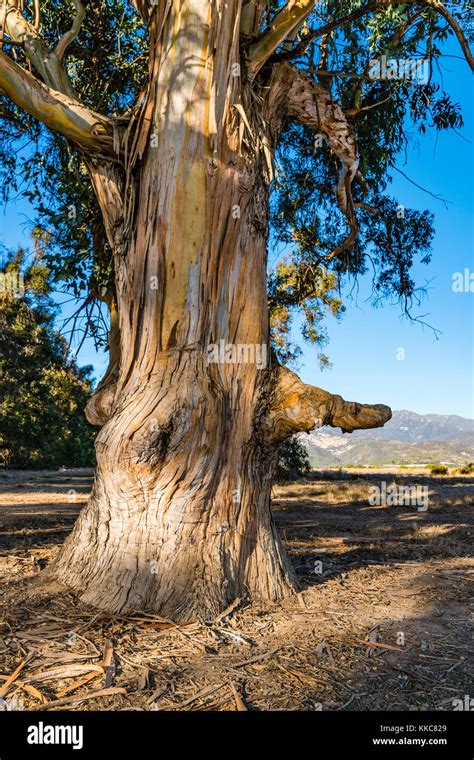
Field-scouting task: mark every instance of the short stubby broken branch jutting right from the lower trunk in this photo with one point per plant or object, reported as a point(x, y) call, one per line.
point(298, 407)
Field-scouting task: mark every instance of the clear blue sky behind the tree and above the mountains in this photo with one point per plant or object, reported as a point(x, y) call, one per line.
point(435, 376)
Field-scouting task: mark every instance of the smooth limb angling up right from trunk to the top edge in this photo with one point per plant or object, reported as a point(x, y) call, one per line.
point(290, 17)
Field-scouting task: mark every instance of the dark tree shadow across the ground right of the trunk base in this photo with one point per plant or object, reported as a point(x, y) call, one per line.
point(325, 540)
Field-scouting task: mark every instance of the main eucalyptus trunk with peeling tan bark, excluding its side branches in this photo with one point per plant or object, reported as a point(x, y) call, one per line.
point(179, 521)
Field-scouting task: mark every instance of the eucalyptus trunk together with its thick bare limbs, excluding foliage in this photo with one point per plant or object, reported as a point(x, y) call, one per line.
point(193, 408)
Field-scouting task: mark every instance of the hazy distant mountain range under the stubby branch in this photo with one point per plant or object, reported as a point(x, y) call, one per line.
point(408, 438)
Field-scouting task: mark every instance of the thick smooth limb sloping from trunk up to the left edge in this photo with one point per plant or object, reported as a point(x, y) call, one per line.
point(88, 129)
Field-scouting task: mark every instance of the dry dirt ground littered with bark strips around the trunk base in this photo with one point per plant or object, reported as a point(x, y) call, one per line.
point(381, 623)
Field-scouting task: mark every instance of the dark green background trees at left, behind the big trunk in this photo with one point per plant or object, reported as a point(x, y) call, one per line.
point(42, 391)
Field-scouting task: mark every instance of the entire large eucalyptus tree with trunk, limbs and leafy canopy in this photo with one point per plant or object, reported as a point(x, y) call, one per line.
point(197, 125)
